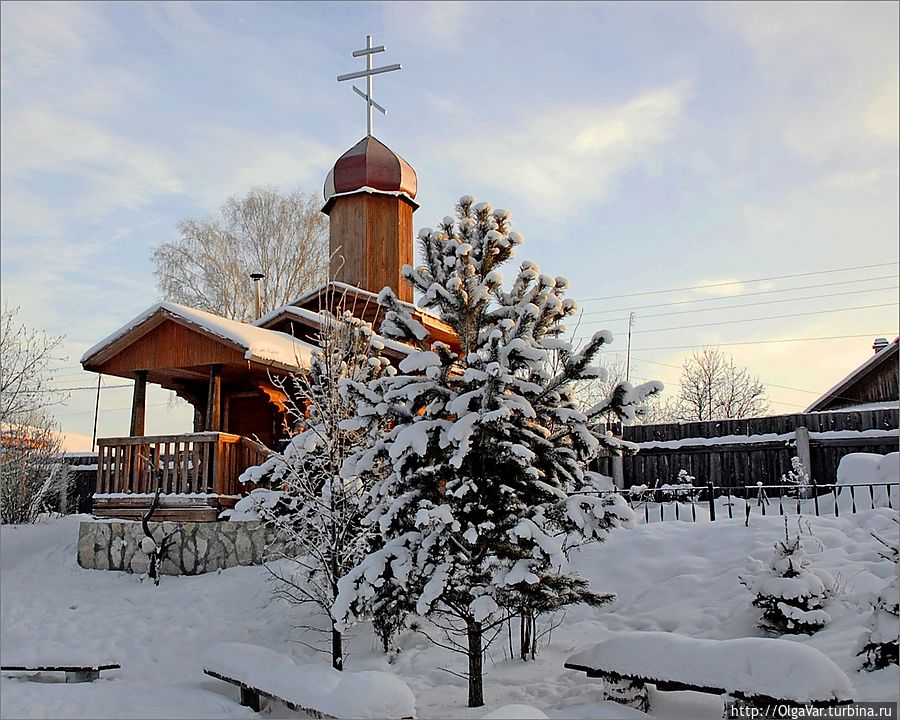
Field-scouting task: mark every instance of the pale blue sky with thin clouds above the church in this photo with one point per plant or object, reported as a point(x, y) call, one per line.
point(735, 160)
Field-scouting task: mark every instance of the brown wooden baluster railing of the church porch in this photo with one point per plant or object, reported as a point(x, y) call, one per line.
point(204, 463)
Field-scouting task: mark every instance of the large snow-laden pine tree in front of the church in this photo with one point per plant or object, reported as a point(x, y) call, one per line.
point(486, 447)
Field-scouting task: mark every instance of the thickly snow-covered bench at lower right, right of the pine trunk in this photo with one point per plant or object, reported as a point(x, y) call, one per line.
point(760, 672)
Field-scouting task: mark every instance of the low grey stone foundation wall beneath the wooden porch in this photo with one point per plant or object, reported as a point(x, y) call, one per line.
point(194, 547)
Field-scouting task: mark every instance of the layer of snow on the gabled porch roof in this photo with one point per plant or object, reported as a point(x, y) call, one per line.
point(268, 347)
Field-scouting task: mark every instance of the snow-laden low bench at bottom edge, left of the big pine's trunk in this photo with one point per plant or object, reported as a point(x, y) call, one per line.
point(317, 690)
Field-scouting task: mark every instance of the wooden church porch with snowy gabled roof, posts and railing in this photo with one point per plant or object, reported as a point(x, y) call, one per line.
point(229, 372)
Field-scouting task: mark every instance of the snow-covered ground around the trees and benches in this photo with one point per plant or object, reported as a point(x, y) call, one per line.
point(678, 577)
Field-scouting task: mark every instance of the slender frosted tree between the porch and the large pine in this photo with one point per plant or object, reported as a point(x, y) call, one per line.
point(318, 511)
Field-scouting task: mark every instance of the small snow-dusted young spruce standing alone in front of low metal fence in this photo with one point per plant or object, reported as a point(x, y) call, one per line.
point(790, 593)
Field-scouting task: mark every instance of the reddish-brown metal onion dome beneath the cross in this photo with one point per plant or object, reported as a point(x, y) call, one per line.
point(370, 166)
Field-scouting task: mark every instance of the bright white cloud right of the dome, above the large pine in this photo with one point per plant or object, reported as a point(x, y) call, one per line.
point(567, 155)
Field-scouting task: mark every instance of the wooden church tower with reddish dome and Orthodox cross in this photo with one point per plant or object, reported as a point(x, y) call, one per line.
point(370, 199)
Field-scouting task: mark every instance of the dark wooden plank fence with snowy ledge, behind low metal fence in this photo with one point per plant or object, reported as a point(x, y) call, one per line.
point(736, 453)
